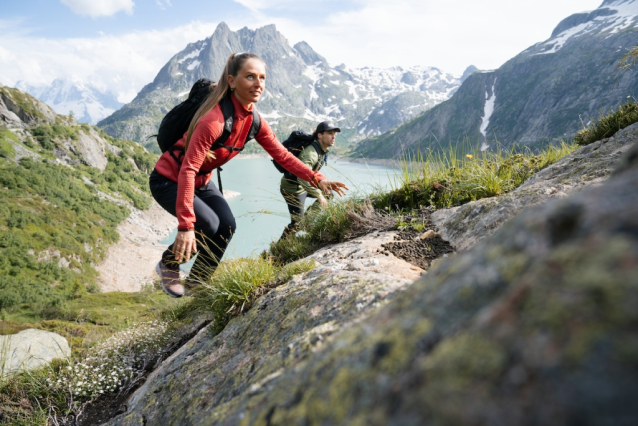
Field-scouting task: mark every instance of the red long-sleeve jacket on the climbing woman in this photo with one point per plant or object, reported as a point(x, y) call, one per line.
point(209, 128)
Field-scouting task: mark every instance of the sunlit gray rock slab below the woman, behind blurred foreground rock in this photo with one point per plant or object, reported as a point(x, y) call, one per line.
point(286, 327)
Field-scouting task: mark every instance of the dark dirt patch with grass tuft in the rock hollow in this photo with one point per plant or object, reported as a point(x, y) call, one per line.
point(417, 242)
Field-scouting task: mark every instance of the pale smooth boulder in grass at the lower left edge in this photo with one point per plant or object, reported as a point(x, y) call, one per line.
point(30, 349)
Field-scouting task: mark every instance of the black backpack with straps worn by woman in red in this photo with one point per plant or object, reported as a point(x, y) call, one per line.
point(176, 122)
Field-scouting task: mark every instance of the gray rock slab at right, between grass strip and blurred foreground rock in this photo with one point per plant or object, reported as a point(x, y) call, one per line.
point(466, 225)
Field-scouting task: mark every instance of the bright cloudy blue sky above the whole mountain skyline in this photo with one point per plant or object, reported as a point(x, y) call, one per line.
point(121, 44)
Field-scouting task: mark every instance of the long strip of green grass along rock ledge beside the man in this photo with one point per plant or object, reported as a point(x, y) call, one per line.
point(438, 180)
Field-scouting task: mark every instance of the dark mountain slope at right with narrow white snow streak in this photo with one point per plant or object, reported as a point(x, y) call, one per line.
point(546, 92)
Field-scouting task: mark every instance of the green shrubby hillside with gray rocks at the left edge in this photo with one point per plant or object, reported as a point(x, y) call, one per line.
point(64, 188)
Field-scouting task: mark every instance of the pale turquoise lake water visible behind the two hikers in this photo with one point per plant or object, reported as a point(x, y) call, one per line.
point(260, 210)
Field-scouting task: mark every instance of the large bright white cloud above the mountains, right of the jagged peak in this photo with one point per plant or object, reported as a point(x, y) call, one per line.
point(450, 35)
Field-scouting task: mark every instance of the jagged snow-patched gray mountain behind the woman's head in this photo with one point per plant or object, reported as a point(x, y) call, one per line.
point(302, 88)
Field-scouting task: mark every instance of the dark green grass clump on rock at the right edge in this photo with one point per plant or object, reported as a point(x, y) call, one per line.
point(607, 125)
